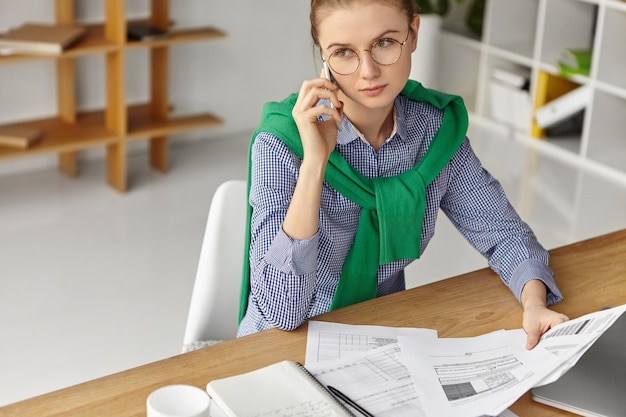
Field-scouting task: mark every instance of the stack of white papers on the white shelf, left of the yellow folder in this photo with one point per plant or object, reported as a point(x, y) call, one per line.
point(510, 98)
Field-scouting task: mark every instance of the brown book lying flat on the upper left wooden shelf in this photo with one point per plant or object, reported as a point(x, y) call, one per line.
point(40, 38)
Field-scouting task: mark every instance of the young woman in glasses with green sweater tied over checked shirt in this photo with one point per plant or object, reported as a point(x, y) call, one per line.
point(347, 178)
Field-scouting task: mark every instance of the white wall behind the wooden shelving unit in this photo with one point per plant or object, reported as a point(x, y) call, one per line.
point(265, 56)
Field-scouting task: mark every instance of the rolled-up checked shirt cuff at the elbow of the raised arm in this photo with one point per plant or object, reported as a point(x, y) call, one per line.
point(291, 256)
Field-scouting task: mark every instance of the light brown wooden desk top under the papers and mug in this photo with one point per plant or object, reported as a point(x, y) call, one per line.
point(591, 275)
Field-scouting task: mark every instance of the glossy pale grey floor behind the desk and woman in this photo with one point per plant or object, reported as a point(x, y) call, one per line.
point(93, 282)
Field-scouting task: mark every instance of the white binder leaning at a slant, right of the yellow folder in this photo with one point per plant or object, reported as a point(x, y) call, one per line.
point(563, 107)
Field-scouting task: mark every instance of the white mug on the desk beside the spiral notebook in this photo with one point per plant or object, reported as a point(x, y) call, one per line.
point(178, 401)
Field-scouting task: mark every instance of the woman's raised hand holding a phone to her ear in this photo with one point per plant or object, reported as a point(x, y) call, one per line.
point(318, 137)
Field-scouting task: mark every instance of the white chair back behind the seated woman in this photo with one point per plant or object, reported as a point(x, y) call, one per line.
point(214, 307)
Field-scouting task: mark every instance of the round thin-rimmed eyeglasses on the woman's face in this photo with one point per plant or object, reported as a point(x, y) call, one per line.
point(385, 51)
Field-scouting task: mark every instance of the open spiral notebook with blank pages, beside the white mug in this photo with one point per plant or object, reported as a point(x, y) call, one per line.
point(283, 388)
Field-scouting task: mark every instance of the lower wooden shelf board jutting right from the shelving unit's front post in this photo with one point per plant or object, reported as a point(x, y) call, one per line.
point(143, 123)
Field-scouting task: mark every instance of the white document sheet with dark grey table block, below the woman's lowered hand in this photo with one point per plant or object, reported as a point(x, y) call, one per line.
point(466, 377)
